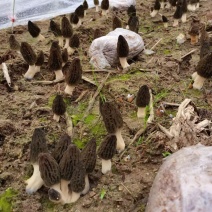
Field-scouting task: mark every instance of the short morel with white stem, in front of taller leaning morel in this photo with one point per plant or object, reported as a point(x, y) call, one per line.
point(106, 151)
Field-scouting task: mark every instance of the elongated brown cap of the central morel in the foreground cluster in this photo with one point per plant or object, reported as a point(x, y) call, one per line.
point(69, 161)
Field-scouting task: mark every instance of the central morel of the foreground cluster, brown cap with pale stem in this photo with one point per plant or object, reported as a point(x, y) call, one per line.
point(69, 161)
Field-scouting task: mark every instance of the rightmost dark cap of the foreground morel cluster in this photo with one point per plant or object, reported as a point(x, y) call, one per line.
point(88, 155)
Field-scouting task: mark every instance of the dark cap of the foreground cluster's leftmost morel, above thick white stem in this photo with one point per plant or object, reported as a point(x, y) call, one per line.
point(38, 144)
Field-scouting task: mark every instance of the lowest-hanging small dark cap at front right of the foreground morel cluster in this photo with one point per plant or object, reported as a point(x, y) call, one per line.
point(77, 183)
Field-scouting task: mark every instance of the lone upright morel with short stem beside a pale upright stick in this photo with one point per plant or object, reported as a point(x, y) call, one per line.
point(142, 100)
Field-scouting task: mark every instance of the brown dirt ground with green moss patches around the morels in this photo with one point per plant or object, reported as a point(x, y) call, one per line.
point(127, 187)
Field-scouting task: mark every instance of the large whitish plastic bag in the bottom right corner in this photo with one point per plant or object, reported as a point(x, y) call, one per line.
point(183, 182)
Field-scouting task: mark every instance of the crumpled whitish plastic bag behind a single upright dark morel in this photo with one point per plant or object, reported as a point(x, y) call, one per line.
point(103, 50)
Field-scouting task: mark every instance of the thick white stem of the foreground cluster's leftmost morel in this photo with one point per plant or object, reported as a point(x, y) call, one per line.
point(35, 181)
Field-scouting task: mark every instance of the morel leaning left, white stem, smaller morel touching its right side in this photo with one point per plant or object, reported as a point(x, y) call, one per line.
point(30, 57)
